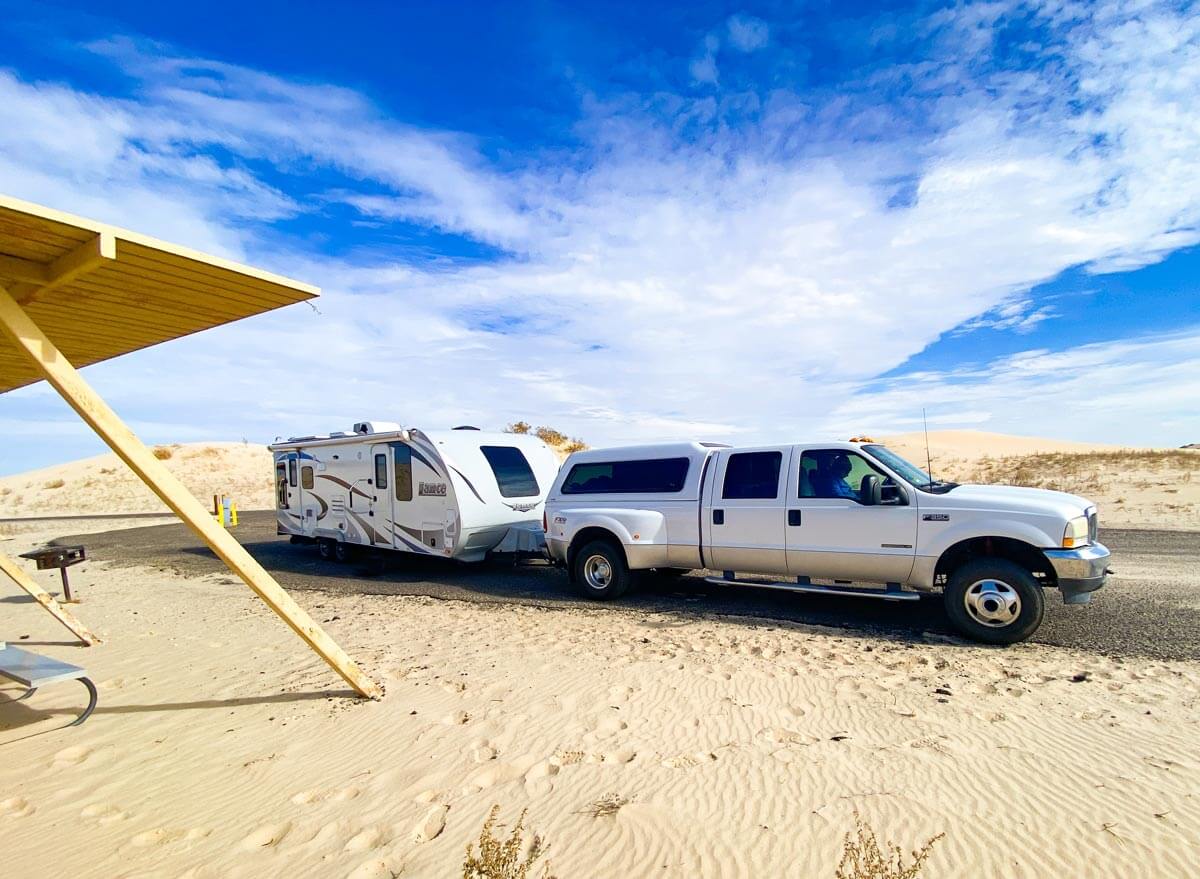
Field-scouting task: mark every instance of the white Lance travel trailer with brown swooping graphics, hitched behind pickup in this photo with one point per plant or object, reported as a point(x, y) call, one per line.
point(457, 494)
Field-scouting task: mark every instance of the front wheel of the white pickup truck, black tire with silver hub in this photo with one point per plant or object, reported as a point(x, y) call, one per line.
point(995, 601)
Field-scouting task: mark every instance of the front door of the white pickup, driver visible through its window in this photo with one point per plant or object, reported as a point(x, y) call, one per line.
point(833, 535)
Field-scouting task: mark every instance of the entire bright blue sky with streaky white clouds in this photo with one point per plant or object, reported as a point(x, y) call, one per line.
point(638, 222)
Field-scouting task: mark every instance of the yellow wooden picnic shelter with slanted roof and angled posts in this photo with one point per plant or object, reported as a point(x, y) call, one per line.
point(76, 292)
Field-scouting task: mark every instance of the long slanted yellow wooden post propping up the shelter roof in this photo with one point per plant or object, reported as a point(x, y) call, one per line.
point(28, 338)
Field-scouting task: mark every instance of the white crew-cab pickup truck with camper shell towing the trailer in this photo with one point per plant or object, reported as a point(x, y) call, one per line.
point(851, 519)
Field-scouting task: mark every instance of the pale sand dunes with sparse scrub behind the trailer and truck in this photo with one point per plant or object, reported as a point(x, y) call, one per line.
point(1147, 489)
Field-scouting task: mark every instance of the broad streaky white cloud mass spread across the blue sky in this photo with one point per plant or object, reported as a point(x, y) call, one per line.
point(695, 276)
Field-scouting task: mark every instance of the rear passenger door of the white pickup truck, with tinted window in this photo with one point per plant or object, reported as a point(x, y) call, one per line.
point(746, 512)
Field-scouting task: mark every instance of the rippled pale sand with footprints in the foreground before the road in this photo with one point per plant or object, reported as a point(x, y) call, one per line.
point(742, 748)
